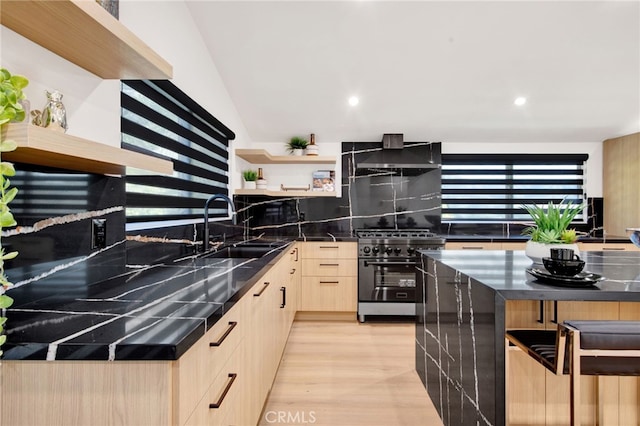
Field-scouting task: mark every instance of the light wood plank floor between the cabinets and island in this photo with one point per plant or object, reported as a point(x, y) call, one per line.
point(342, 373)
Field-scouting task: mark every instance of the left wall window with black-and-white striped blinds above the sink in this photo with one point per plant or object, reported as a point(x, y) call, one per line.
point(159, 119)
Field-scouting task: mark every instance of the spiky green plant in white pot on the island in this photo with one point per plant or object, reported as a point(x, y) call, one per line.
point(551, 229)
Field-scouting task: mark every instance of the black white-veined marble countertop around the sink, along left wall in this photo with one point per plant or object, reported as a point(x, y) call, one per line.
point(147, 312)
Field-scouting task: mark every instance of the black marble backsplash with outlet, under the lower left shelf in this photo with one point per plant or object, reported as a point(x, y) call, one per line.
point(54, 210)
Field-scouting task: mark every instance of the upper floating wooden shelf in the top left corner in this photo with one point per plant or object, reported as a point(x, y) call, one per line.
point(84, 33)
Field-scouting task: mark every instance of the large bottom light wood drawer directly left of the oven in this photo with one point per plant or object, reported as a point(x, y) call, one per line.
point(329, 294)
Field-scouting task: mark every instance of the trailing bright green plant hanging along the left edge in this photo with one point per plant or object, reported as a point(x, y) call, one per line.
point(11, 110)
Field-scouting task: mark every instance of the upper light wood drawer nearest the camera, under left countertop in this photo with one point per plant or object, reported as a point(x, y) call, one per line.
point(196, 369)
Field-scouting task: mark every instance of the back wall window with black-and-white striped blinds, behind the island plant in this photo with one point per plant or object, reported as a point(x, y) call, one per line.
point(493, 187)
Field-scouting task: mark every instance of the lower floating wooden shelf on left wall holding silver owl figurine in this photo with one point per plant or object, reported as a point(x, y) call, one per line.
point(46, 147)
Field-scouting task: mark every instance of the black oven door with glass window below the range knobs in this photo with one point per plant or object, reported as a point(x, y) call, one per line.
point(386, 280)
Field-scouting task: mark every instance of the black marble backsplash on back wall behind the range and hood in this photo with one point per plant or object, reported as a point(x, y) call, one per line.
point(370, 199)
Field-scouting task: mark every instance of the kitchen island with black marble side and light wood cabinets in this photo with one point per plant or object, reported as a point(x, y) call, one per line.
point(466, 301)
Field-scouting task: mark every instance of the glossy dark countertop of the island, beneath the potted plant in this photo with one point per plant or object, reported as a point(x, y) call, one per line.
point(505, 272)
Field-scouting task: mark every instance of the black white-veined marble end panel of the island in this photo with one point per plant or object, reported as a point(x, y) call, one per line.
point(455, 344)
